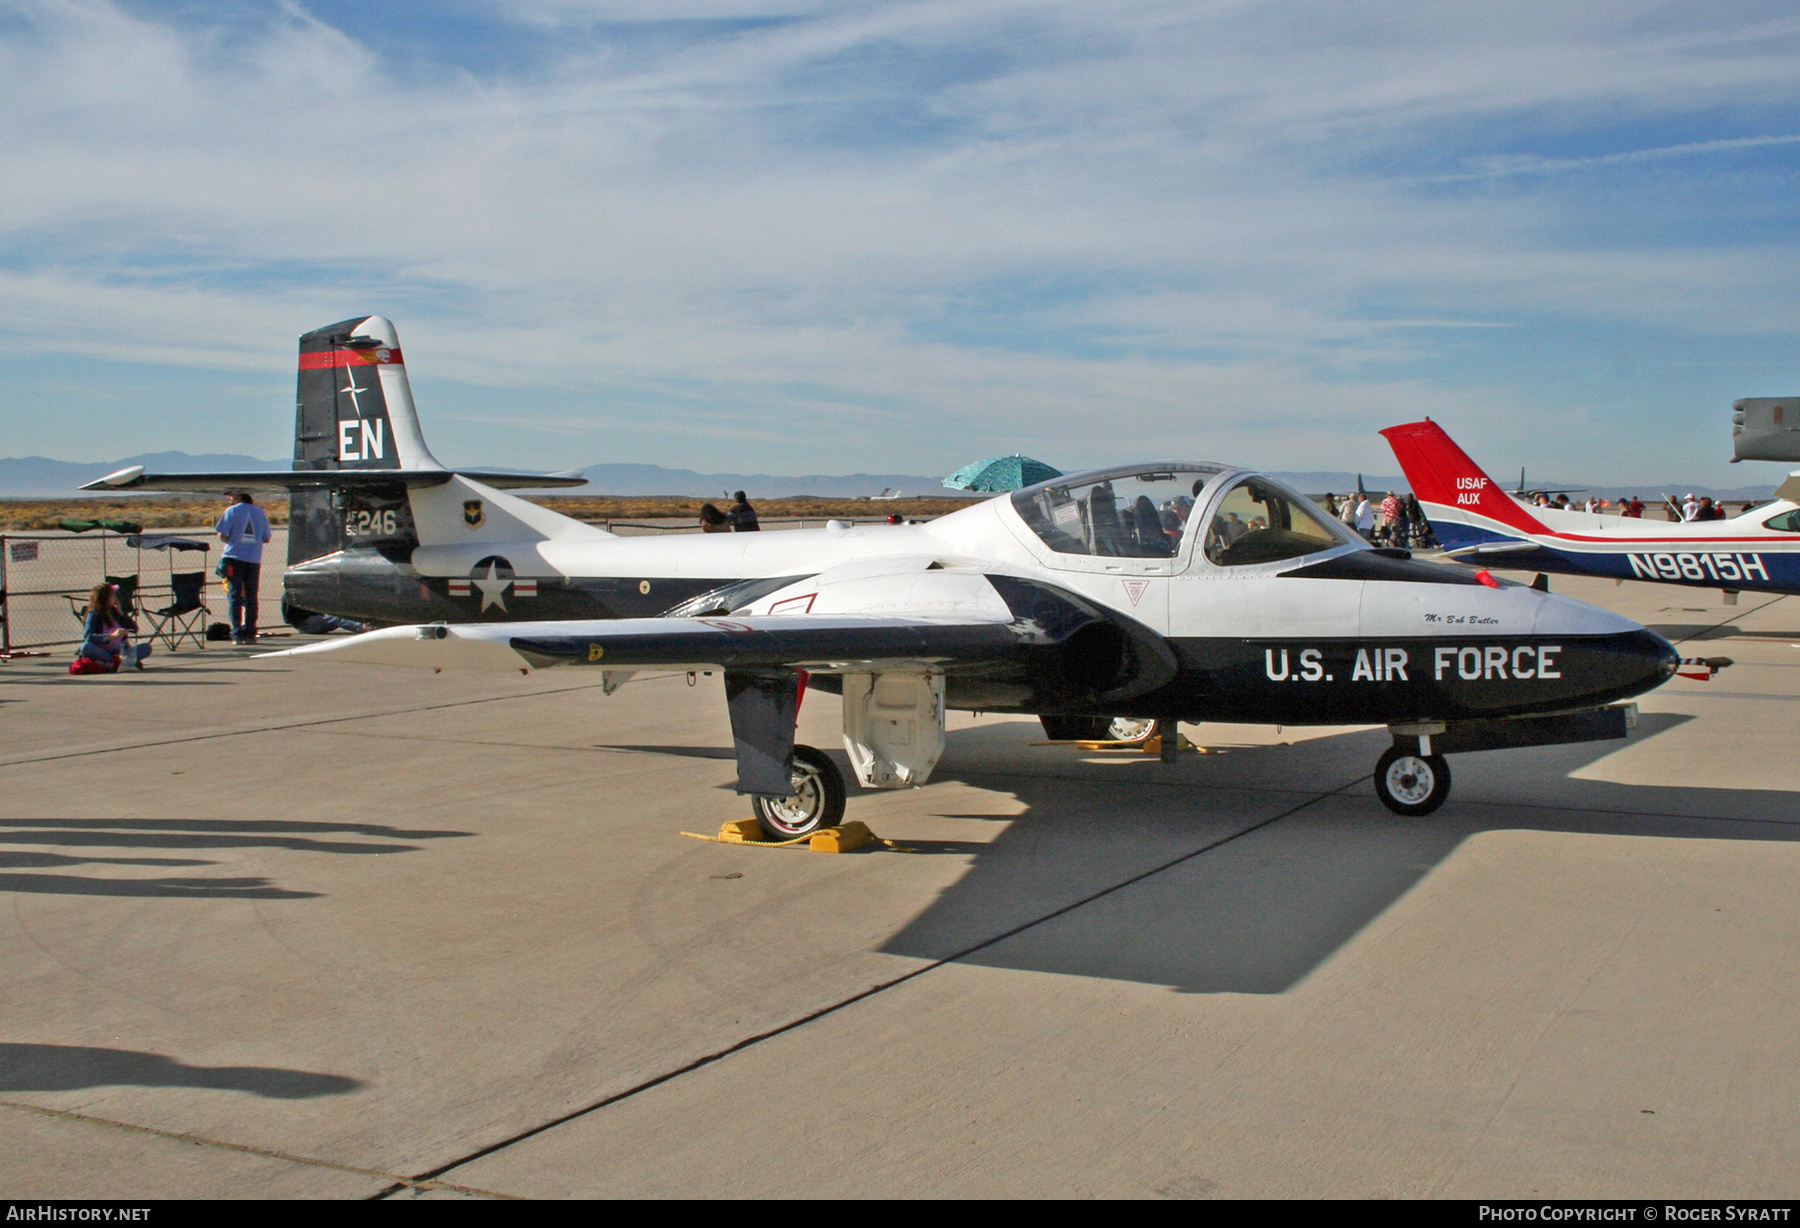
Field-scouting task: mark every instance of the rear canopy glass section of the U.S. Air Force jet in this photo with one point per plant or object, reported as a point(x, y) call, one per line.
point(1122, 516)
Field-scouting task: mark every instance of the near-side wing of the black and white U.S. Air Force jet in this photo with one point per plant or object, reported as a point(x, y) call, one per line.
point(813, 644)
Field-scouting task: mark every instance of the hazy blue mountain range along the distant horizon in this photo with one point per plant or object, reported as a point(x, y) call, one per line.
point(42, 478)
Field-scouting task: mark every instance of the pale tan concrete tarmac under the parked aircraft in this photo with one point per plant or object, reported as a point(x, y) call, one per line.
point(334, 932)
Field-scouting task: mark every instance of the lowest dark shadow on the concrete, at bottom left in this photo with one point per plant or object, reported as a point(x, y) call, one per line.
point(76, 1067)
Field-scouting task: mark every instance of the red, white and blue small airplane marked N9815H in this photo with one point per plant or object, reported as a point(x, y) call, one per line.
point(1477, 521)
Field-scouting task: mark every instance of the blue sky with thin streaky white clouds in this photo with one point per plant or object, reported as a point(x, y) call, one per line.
point(901, 237)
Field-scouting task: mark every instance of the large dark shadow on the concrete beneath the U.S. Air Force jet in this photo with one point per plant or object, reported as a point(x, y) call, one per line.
point(1257, 912)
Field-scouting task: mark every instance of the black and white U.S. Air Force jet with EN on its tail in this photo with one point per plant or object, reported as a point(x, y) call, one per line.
point(1158, 593)
